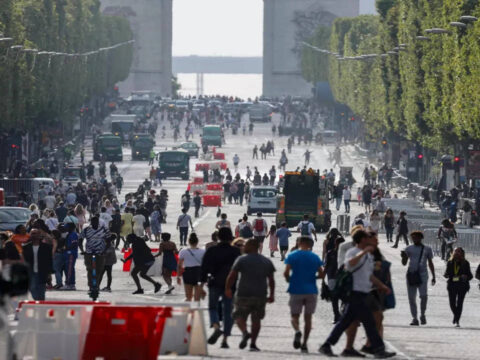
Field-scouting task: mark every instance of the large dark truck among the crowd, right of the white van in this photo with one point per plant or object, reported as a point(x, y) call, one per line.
point(304, 192)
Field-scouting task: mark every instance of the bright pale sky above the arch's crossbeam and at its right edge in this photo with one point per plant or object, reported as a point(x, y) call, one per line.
point(224, 27)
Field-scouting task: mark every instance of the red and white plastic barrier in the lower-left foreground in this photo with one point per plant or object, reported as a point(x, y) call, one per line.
point(123, 331)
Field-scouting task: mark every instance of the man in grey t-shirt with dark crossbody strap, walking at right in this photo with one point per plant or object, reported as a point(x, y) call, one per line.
point(418, 256)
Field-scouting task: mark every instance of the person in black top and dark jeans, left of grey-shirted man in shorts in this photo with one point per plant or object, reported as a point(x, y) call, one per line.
point(216, 266)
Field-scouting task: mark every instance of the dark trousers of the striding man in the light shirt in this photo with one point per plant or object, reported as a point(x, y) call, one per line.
point(357, 309)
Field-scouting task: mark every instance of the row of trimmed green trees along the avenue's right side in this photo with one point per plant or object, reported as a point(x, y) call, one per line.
point(429, 93)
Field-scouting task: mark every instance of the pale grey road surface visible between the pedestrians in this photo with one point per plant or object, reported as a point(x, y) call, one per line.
point(437, 340)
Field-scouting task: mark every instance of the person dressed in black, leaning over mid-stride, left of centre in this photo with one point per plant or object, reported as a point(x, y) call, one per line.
point(143, 260)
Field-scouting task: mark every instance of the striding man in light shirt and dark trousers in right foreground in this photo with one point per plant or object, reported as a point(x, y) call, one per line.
point(359, 262)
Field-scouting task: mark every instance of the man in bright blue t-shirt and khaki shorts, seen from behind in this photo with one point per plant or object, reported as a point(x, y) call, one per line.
point(306, 268)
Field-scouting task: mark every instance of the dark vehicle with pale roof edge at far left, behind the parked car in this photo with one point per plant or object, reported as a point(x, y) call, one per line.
point(27, 187)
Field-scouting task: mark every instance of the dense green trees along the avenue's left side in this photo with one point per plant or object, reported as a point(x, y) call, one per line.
point(37, 90)
